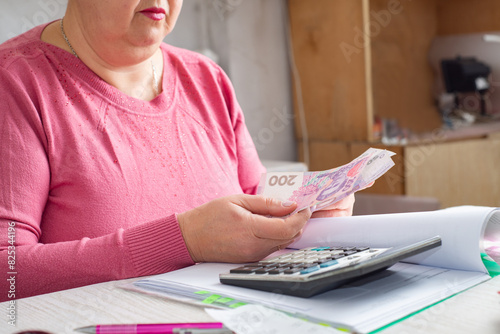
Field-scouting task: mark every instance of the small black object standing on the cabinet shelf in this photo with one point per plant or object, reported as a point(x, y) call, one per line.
point(466, 75)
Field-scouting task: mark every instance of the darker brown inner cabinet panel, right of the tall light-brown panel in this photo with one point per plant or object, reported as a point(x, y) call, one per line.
point(402, 76)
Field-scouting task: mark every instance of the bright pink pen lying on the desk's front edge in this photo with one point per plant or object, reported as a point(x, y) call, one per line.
point(173, 328)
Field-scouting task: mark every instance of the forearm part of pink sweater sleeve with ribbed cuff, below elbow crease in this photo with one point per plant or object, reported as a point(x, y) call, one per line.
point(147, 249)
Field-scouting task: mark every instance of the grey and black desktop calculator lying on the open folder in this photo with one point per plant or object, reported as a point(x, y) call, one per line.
point(310, 271)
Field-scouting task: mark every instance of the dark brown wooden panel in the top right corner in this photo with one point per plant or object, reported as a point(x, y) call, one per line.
point(467, 16)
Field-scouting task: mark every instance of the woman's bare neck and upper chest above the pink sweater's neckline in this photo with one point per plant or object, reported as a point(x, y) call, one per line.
point(133, 73)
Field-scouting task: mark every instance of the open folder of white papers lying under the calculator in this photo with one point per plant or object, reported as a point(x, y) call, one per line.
point(468, 235)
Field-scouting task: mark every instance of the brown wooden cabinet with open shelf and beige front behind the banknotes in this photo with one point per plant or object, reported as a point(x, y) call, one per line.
point(358, 59)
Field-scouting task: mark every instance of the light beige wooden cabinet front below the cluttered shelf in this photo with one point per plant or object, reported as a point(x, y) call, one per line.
point(457, 173)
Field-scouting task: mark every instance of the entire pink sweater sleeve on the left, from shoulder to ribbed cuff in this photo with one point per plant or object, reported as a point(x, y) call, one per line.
point(145, 249)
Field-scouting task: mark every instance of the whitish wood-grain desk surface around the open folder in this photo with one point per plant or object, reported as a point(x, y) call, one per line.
point(476, 310)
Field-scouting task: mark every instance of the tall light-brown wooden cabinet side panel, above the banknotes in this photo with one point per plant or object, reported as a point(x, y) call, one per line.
point(329, 54)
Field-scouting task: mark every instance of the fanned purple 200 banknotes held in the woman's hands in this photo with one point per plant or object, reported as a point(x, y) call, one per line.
point(319, 190)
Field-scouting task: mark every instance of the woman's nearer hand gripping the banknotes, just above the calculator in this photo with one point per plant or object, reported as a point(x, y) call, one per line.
point(236, 229)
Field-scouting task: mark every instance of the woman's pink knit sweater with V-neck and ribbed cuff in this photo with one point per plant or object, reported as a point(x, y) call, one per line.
point(92, 179)
